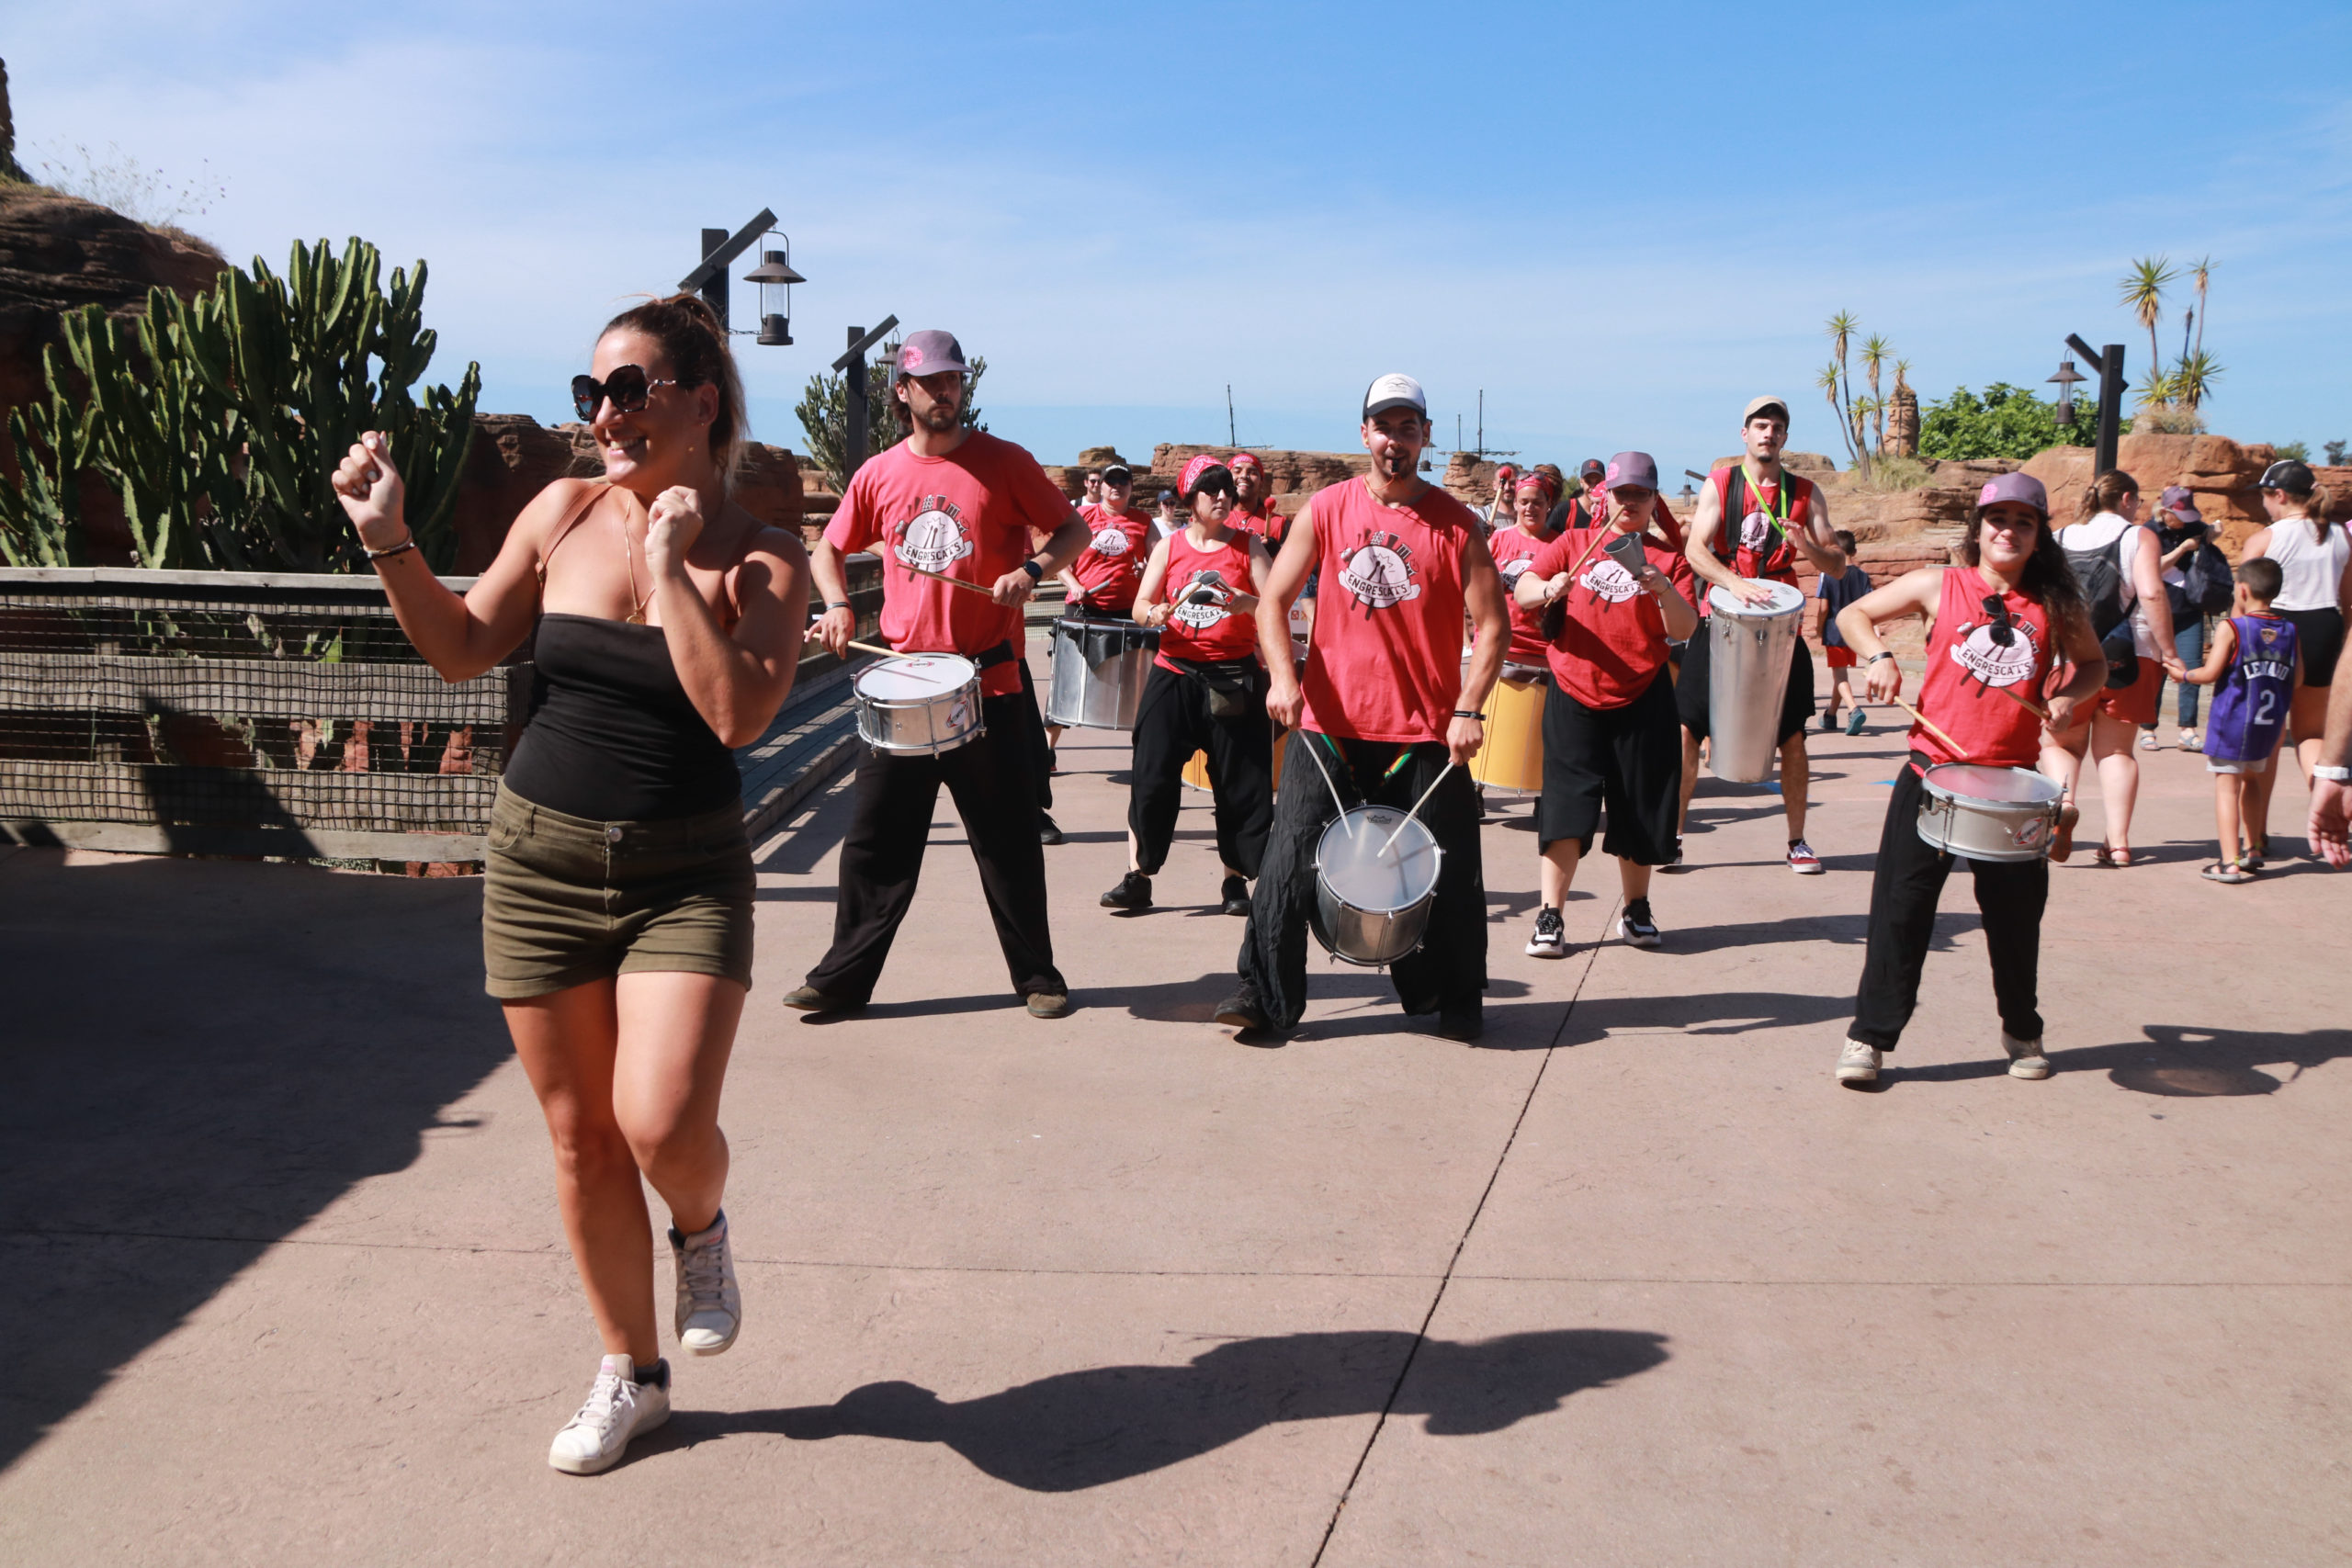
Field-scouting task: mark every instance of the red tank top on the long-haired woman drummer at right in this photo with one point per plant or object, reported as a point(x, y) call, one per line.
point(1967, 657)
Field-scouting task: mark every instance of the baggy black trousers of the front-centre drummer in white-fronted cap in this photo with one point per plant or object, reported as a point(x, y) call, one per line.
point(1450, 970)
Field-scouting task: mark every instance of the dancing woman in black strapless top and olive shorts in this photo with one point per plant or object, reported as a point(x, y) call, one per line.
point(617, 899)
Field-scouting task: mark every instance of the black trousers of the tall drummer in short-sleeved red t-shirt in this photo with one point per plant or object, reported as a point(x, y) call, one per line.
point(893, 826)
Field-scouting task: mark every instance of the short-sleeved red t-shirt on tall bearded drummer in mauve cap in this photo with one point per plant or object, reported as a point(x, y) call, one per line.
point(968, 516)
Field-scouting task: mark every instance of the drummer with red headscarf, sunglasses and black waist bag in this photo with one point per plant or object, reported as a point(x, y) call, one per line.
point(1205, 692)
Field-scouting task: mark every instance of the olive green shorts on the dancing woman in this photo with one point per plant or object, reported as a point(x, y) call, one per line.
point(568, 902)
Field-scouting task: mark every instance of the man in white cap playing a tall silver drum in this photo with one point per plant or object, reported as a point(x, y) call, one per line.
point(1753, 523)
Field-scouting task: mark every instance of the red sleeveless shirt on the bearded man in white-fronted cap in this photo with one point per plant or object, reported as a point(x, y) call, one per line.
point(1387, 657)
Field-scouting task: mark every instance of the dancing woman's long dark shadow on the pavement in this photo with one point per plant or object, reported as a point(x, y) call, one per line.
point(1111, 1423)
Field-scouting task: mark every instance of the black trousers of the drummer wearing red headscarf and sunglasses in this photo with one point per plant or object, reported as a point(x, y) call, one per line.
point(1172, 723)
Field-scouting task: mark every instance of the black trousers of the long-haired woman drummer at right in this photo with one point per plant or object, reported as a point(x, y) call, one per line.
point(1904, 890)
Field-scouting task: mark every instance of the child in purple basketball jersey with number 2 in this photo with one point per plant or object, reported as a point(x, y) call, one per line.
point(2257, 664)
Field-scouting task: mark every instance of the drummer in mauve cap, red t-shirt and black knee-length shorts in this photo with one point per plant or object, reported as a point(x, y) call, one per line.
point(1610, 737)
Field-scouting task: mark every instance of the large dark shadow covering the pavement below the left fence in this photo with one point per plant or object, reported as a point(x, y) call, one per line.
point(201, 1057)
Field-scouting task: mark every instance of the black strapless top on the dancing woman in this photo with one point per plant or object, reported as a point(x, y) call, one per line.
point(613, 735)
